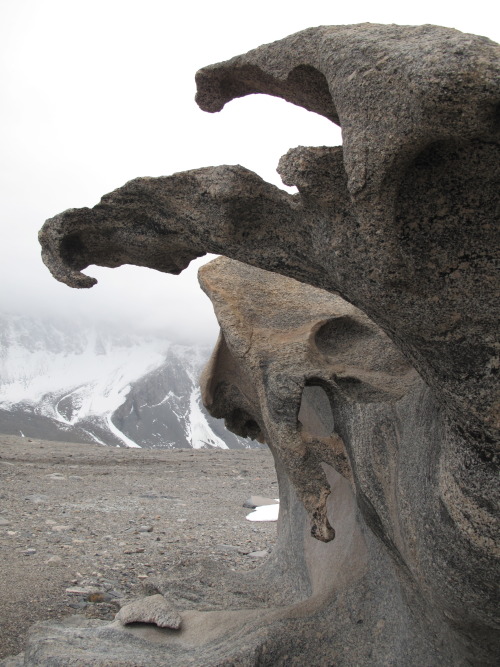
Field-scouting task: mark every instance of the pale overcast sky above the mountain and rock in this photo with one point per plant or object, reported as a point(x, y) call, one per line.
point(97, 92)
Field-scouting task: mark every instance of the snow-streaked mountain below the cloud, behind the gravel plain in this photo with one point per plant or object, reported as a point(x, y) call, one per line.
point(67, 381)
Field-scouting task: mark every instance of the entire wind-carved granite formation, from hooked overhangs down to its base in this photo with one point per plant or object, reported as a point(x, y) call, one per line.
point(382, 415)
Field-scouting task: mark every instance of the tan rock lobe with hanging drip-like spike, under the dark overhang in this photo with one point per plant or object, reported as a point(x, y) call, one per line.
point(281, 338)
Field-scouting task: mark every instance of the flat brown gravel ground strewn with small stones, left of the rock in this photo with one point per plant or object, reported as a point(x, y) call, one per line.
point(84, 527)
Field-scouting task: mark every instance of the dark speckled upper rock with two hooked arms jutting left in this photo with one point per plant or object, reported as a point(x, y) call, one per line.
point(399, 220)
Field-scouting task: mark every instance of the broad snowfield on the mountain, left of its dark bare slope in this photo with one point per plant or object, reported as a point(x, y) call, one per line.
point(73, 377)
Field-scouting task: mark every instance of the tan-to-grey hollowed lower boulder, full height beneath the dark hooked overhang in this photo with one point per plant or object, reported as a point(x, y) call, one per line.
point(362, 443)
